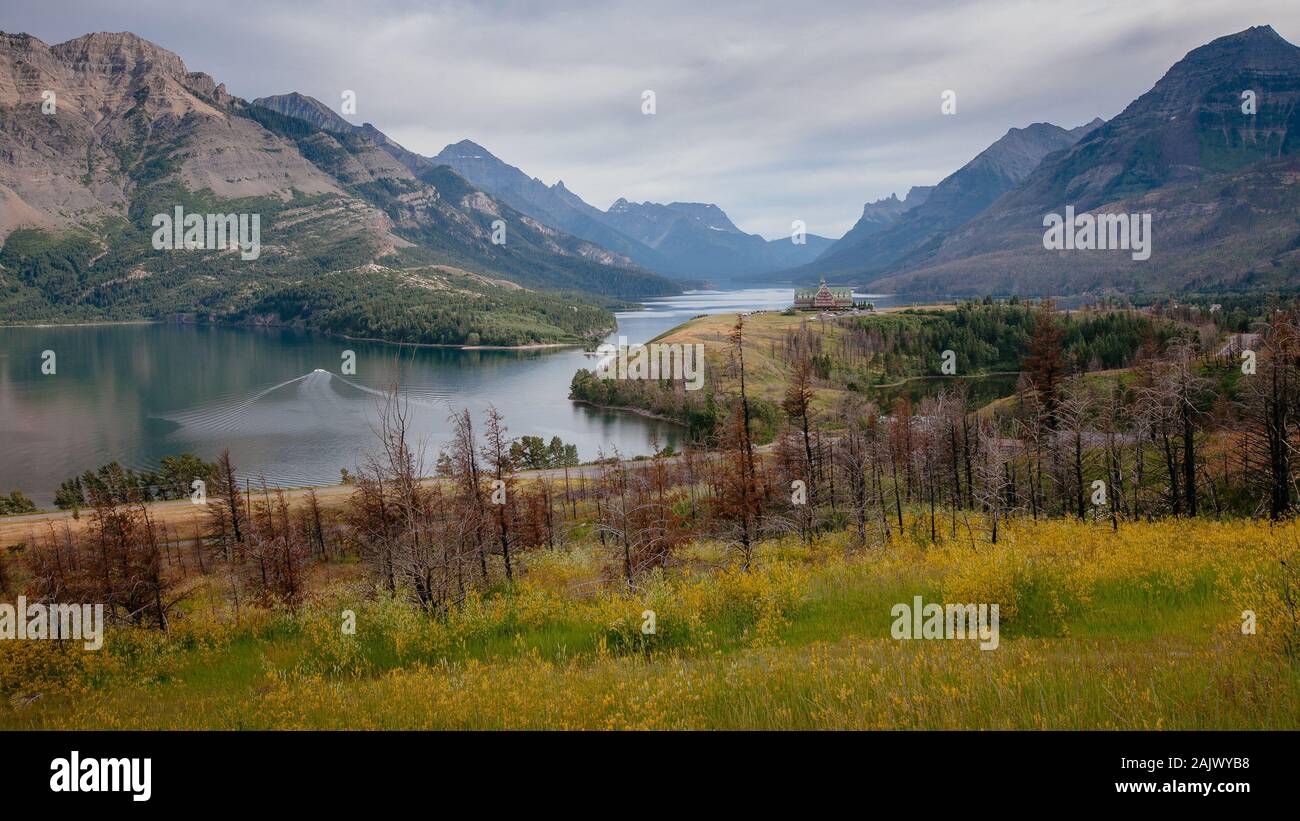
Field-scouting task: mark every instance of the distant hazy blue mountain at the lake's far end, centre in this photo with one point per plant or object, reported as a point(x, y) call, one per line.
point(697, 240)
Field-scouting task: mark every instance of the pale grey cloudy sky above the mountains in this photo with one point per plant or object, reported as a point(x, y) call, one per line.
point(774, 111)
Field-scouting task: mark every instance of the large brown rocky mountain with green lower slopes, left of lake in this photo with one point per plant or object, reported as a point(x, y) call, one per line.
point(135, 134)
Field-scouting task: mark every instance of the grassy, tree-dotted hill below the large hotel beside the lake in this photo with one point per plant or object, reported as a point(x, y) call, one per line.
point(883, 357)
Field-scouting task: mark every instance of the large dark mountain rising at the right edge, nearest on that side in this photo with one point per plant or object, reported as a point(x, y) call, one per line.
point(1221, 186)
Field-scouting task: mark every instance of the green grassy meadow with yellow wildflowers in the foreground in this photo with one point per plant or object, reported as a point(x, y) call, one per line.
point(1138, 629)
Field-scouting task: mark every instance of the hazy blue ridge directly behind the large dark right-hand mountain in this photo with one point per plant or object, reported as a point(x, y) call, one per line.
point(882, 244)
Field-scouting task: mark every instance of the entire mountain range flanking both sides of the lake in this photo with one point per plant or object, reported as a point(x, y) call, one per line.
point(365, 237)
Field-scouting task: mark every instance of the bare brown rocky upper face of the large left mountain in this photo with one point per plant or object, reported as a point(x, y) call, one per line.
point(125, 111)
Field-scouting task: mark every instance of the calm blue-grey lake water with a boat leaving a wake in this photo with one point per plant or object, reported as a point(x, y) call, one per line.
point(276, 397)
